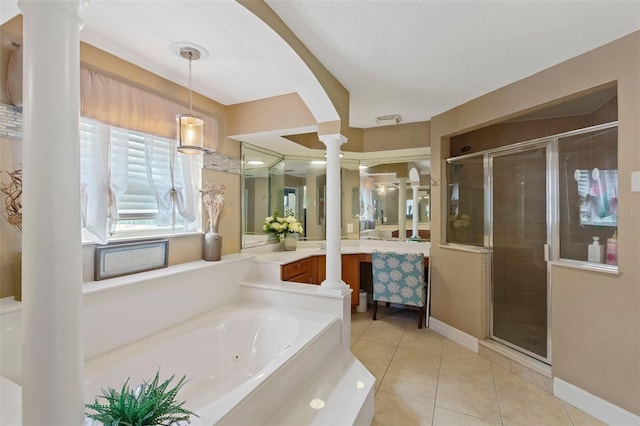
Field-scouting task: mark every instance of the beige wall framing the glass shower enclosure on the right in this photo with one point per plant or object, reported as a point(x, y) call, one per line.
point(596, 316)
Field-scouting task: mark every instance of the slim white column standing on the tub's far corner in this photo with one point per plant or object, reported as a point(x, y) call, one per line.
point(334, 258)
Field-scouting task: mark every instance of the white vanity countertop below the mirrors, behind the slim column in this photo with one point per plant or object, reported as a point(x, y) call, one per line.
point(312, 248)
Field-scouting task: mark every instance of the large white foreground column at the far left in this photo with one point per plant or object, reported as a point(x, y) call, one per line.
point(53, 353)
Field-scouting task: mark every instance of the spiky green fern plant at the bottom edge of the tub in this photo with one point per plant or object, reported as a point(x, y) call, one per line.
point(148, 404)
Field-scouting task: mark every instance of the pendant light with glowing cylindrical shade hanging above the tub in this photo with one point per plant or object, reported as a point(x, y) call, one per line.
point(190, 127)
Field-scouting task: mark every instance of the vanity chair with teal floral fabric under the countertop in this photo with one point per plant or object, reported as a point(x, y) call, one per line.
point(398, 278)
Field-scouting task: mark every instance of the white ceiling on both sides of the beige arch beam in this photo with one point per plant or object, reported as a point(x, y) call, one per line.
point(413, 58)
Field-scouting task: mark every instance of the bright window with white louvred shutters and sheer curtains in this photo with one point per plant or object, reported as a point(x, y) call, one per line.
point(136, 184)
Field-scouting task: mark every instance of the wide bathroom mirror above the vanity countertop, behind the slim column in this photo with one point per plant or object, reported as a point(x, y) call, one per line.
point(370, 192)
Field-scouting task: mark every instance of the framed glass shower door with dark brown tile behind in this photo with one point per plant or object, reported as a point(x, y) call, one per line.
point(519, 236)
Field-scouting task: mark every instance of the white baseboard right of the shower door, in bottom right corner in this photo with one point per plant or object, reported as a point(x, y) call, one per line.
point(593, 405)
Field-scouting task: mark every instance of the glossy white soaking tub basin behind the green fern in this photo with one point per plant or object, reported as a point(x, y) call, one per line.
point(228, 355)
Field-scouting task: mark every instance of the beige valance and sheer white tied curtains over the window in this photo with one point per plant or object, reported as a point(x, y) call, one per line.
point(121, 105)
